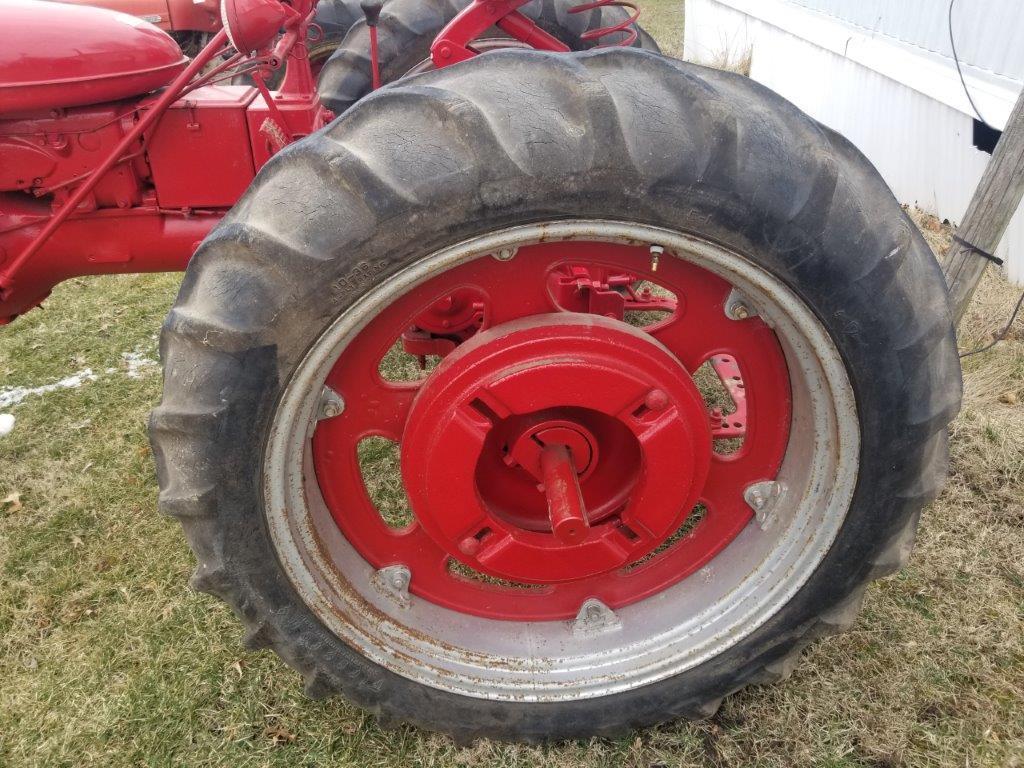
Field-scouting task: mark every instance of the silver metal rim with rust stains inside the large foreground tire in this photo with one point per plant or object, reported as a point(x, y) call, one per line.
point(680, 628)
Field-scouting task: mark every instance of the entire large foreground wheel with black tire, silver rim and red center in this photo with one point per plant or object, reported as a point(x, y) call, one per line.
point(591, 551)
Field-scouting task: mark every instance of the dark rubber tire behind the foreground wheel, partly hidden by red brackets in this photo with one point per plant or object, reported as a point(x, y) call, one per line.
point(409, 27)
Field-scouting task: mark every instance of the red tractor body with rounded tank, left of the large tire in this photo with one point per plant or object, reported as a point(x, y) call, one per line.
point(102, 174)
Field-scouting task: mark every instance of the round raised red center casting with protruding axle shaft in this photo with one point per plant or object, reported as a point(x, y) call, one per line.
point(556, 448)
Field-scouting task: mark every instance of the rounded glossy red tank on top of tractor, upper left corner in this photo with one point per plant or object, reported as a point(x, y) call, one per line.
point(60, 56)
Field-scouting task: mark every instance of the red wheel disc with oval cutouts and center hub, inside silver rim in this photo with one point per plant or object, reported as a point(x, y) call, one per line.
point(553, 447)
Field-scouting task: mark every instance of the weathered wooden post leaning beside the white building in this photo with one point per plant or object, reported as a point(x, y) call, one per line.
point(994, 204)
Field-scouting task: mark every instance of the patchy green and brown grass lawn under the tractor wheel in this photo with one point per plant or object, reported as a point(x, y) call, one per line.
point(108, 659)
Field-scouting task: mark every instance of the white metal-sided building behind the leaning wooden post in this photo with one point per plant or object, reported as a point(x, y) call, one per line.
point(882, 73)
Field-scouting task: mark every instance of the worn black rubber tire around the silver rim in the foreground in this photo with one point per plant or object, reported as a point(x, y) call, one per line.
point(620, 135)
